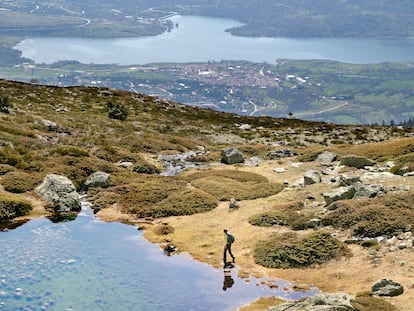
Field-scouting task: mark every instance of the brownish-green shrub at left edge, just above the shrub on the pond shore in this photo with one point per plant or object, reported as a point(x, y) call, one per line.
point(19, 182)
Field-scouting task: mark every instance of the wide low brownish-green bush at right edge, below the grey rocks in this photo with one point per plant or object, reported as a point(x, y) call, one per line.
point(385, 216)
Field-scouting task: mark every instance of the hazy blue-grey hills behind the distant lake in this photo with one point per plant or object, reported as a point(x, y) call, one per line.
point(287, 18)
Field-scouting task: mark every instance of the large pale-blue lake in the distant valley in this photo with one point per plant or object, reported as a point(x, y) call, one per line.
point(202, 39)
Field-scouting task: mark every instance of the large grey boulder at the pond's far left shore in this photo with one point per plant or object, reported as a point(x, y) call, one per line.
point(60, 191)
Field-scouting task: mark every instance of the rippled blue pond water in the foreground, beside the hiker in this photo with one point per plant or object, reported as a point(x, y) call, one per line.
point(91, 265)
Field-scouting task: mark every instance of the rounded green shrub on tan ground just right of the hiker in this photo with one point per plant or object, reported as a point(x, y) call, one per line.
point(288, 250)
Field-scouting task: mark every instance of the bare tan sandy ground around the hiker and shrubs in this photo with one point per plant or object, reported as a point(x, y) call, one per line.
point(201, 235)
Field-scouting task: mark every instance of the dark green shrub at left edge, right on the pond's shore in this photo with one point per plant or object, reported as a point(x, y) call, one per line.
point(12, 206)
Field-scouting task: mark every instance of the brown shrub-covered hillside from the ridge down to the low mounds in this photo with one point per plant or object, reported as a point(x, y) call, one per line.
point(71, 131)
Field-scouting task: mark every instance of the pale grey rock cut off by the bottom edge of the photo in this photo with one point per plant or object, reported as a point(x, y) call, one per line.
point(320, 302)
